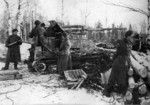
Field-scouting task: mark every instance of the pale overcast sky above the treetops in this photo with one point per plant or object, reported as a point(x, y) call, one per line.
point(74, 11)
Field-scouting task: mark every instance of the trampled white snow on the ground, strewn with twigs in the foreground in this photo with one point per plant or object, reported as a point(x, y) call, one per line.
point(39, 89)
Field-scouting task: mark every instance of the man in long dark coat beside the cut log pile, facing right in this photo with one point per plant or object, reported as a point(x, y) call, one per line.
point(118, 80)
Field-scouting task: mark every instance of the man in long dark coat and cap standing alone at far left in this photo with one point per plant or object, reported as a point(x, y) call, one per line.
point(13, 54)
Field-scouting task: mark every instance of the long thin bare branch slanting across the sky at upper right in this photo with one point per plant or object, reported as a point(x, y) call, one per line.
point(128, 7)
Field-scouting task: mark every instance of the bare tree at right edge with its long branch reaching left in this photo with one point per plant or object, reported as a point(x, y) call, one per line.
point(138, 10)
